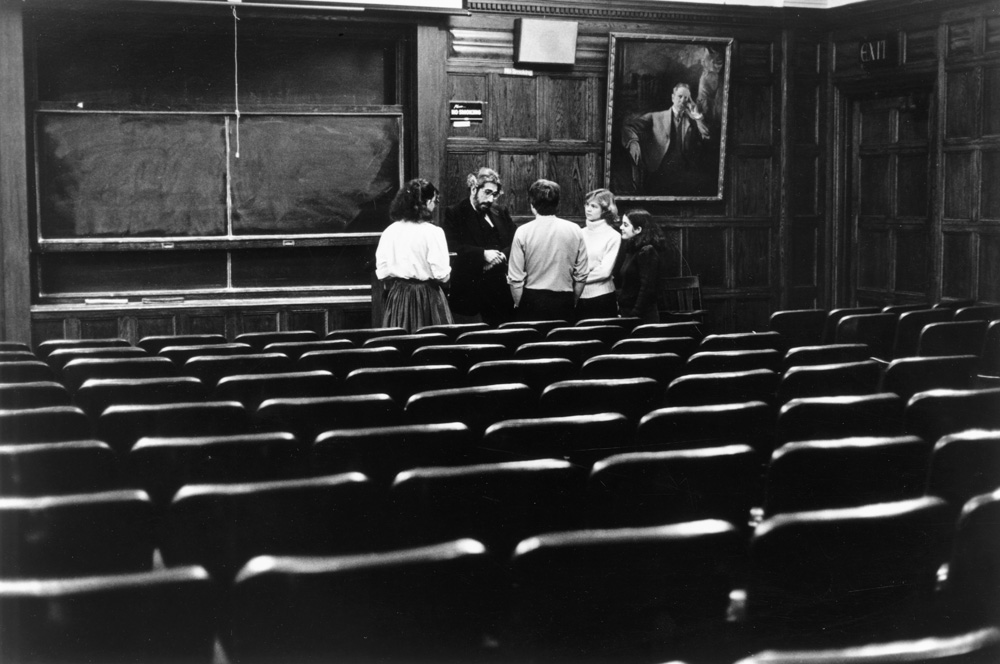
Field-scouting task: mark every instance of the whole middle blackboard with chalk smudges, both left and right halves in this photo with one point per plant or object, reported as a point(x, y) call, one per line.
point(103, 175)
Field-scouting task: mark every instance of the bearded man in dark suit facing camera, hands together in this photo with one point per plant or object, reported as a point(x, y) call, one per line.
point(479, 234)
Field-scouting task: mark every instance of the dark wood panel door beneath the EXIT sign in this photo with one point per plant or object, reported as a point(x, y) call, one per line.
point(890, 234)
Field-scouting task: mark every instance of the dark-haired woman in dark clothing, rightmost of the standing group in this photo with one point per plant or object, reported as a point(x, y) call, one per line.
point(639, 272)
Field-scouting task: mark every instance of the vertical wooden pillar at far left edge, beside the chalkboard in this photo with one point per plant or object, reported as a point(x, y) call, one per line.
point(15, 272)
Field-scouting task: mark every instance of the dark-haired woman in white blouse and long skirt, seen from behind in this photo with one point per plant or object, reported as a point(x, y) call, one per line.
point(412, 261)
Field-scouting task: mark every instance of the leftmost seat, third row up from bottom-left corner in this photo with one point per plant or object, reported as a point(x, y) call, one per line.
point(48, 469)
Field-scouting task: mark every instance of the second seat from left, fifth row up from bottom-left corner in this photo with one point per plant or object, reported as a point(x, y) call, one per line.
point(96, 394)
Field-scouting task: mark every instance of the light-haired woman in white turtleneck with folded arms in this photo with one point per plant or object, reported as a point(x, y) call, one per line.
point(603, 241)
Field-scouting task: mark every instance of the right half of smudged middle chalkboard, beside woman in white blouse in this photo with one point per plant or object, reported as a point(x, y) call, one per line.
point(314, 174)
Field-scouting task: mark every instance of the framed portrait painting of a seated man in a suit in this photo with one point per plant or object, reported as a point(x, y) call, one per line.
point(668, 101)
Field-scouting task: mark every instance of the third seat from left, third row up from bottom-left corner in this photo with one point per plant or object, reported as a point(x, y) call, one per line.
point(381, 452)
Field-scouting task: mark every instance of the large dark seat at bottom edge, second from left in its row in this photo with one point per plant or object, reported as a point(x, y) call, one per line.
point(428, 604)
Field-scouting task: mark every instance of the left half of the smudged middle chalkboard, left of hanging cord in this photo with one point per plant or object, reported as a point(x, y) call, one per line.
point(123, 175)
